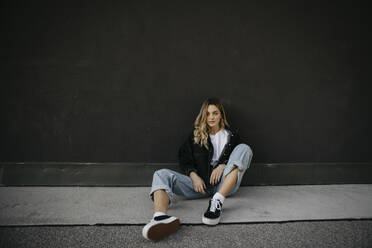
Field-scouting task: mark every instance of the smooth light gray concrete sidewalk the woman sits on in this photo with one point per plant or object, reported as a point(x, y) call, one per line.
point(131, 205)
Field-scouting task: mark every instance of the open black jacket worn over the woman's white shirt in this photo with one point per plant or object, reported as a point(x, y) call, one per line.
point(193, 157)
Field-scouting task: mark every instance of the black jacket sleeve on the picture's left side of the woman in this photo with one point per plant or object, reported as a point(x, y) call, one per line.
point(186, 158)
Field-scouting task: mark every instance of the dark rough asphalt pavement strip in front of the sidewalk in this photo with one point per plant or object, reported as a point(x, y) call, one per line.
point(319, 234)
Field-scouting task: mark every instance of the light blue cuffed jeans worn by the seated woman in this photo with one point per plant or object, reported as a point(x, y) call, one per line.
point(176, 183)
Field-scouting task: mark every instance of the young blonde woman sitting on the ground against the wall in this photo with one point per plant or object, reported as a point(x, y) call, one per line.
point(213, 160)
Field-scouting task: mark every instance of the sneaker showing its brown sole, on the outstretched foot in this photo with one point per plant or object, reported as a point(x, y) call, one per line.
point(160, 227)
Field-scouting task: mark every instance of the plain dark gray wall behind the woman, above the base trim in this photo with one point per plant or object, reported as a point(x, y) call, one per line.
point(106, 81)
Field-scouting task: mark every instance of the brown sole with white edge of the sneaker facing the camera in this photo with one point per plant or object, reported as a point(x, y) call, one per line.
point(161, 230)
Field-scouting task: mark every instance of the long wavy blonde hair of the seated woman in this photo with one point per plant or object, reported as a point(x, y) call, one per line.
point(202, 129)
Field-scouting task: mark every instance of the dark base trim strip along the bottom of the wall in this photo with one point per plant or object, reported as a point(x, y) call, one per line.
point(140, 174)
